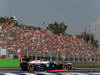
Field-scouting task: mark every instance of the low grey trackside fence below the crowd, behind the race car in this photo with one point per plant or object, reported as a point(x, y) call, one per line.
point(69, 58)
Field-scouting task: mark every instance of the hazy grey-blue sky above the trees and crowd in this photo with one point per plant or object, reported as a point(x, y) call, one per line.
point(78, 14)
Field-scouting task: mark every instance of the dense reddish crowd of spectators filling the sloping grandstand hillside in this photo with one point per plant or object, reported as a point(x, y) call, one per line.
point(23, 41)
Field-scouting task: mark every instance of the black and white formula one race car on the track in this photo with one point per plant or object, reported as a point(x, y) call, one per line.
point(41, 65)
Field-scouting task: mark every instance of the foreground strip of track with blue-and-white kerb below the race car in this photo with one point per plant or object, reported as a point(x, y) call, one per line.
point(76, 72)
